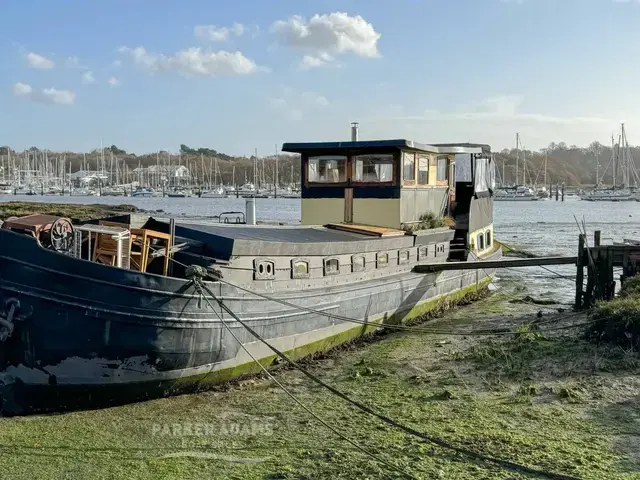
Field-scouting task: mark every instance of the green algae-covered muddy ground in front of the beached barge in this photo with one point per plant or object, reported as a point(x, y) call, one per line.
point(555, 402)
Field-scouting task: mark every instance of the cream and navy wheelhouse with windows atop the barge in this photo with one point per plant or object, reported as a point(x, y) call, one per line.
point(391, 183)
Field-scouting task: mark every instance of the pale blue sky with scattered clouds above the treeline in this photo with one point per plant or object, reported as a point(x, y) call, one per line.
point(149, 75)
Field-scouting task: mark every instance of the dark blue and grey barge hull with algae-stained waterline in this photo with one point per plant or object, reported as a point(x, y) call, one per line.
point(89, 335)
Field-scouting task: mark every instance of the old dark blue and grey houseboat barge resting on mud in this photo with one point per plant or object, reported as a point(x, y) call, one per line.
point(97, 314)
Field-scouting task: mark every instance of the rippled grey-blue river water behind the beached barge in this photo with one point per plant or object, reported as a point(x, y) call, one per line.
point(545, 227)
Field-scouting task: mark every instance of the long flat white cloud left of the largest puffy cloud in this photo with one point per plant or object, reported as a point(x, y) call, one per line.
point(193, 61)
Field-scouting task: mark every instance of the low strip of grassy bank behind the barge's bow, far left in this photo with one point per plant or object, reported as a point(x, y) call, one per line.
point(75, 212)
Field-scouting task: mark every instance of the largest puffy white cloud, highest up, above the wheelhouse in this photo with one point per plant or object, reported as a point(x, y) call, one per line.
point(327, 35)
